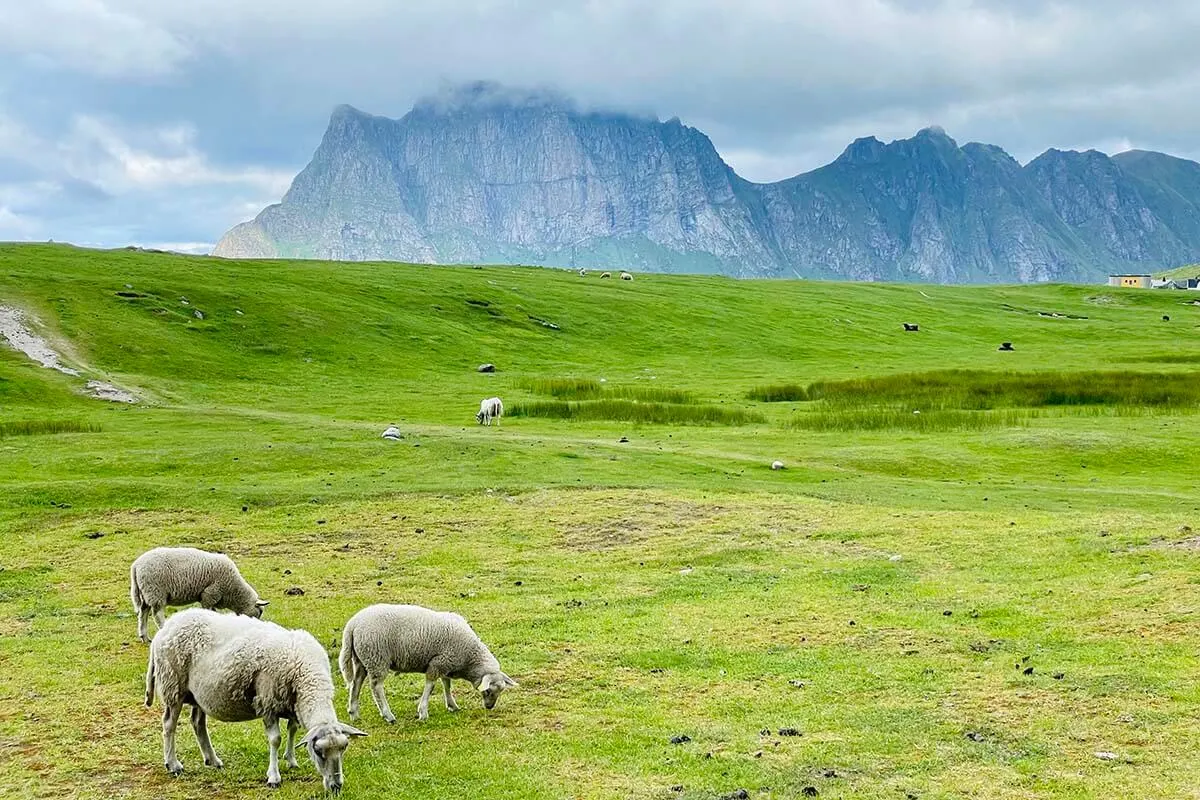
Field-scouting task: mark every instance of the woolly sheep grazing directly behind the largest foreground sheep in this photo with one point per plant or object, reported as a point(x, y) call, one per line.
point(178, 576)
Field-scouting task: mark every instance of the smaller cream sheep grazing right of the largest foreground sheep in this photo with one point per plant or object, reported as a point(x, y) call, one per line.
point(413, 640)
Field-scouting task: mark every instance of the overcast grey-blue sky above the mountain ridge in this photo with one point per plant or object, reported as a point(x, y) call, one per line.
point(164, 123)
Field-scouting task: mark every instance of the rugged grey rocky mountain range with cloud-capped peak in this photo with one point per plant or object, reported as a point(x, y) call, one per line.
point(485, 175)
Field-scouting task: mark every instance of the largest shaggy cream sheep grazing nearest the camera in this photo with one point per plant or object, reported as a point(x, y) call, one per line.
point(235, 670)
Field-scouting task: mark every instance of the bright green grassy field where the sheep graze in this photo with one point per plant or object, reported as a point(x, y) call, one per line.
point(977, 573)
